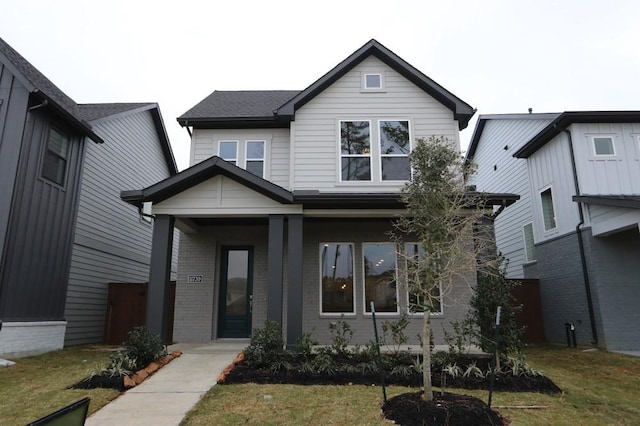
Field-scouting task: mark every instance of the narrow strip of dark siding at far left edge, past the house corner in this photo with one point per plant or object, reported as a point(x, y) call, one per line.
point(13, 107)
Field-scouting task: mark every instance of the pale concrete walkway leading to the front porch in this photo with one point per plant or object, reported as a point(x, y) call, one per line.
point(166, 397)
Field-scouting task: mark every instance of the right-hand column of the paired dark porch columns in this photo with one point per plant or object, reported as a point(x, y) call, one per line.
point(294, 273)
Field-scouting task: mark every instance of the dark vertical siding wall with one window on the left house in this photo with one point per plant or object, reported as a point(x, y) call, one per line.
point(41, 225)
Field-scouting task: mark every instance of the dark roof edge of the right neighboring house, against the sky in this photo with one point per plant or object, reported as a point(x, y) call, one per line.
point(565, 119)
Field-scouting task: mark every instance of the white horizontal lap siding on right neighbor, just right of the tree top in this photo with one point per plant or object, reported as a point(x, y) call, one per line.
point(499, 172)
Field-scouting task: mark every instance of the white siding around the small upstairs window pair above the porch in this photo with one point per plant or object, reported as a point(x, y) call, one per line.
point(205, 143)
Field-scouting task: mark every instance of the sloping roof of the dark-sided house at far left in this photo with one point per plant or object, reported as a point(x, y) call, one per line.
point(41, 87)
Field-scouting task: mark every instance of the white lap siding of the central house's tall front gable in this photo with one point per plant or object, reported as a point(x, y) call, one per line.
point(316, 156)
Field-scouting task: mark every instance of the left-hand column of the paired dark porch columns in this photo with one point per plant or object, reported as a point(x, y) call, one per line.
point(274, 268)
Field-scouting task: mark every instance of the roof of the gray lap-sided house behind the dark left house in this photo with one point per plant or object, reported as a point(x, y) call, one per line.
point(99, 112)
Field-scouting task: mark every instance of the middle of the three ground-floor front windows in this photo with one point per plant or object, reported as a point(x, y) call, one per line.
point(379, 262)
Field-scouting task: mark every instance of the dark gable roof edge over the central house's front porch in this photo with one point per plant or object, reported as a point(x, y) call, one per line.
point(194, 175)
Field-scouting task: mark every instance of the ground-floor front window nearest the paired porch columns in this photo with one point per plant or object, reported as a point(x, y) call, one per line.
point(337, 289)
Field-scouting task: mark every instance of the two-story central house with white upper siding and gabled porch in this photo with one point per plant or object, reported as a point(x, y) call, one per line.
point(286, 208)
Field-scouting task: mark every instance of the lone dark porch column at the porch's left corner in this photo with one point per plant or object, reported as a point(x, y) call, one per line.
point(159, 275)
